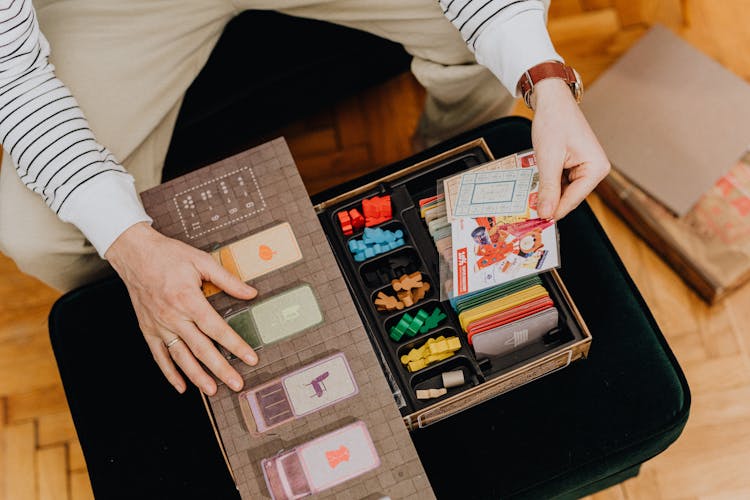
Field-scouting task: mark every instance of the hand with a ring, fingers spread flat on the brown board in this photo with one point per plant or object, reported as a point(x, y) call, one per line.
point(164, 277)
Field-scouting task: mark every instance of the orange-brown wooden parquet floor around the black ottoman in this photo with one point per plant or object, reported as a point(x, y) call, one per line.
point(40, 456)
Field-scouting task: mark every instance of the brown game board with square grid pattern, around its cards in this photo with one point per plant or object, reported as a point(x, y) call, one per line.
point(199, 210)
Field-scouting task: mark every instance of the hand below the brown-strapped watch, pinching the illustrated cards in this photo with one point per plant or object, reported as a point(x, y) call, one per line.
point(570, 159)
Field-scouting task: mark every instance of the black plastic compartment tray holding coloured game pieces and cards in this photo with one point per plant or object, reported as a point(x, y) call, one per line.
point(418, 253)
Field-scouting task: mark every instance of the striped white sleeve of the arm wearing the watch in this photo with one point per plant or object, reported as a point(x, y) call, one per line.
point(507, 36)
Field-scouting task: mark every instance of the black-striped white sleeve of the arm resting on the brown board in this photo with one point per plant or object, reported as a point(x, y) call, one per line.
point(46, 134)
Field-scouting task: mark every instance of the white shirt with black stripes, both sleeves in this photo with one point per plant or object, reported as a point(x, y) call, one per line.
point(57, 156)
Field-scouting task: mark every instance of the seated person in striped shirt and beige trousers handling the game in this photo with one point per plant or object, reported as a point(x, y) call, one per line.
point(129, 64)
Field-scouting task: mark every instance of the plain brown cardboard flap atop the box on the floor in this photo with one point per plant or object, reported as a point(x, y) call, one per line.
point(670, 118)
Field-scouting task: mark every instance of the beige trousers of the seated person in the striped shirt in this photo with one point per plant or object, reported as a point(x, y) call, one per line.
point(129, 64)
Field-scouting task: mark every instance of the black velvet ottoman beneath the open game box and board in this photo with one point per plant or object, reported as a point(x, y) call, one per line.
point(569, 434)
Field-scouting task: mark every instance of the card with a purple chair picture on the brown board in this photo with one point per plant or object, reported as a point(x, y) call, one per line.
point(297, 394)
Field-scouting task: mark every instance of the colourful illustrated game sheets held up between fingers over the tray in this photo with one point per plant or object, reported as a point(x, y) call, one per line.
point(496, 233)
